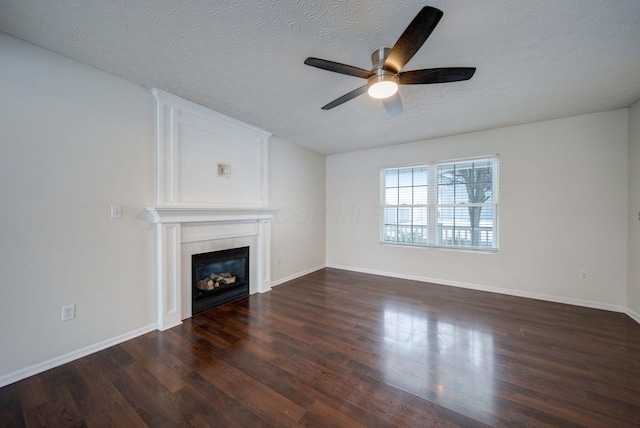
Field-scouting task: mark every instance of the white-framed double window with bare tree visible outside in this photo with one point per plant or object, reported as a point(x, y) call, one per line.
point(442, 204)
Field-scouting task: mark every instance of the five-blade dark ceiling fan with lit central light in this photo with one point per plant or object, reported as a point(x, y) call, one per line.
point(385, 74)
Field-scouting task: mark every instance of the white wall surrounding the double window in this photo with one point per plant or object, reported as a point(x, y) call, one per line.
point(563, 209)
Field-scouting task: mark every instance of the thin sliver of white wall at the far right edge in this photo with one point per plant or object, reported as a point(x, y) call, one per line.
point(633, 296)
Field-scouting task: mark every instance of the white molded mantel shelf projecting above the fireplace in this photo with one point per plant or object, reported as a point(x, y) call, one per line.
point(208, 214)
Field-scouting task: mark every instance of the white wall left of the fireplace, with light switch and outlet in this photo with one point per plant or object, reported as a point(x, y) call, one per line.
point(74, 141)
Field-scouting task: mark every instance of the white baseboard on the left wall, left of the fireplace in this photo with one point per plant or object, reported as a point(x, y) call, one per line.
point(26, 372)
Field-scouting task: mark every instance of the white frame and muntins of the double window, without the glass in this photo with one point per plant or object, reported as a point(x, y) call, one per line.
point(432, 219)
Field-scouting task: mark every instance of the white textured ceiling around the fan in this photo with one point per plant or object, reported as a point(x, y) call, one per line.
point(535, 60)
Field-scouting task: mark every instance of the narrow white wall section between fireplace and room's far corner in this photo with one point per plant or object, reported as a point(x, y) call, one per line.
point(297, 190)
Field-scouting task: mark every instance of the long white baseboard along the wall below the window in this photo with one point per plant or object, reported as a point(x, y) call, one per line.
point(517, 293)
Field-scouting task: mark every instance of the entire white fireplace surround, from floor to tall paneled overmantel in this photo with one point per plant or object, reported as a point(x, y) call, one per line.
point(211, 194)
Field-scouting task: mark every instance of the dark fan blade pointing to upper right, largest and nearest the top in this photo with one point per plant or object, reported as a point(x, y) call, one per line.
point(413, 38)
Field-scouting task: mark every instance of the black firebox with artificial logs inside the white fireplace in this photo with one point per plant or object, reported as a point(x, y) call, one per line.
point(219, 277)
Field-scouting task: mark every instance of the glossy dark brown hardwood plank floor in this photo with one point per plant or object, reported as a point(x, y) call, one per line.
point(337, 348)
